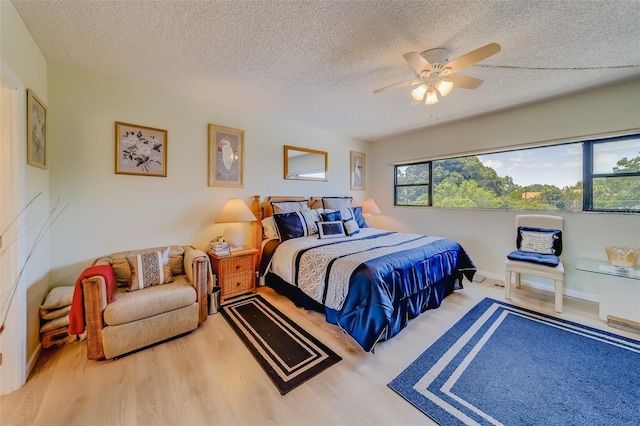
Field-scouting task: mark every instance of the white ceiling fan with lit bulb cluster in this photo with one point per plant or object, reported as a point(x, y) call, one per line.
point(434, 72)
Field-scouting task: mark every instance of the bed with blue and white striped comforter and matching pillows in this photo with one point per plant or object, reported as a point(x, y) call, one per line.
point(369, 282)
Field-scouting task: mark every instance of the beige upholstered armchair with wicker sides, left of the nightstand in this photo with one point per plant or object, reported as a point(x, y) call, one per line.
point(136, 319)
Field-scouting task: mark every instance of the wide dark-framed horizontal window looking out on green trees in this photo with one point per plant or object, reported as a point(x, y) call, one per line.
point(602, 175)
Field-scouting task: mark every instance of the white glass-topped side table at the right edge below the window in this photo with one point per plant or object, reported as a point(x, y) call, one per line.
point(619, 292)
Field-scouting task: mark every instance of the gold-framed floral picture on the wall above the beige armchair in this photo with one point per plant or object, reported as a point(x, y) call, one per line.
point(140, 150)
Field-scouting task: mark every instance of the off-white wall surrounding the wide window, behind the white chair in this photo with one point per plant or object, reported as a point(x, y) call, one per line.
point(490, 235)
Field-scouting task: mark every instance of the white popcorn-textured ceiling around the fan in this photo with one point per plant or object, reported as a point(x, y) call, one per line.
point(317, 62)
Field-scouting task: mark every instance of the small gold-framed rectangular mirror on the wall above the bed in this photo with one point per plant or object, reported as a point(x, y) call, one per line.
point(305, 164)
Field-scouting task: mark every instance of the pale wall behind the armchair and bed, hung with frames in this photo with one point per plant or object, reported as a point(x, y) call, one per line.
point(110, 212)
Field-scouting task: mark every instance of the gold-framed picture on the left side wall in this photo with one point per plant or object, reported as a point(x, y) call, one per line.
point(36, 131)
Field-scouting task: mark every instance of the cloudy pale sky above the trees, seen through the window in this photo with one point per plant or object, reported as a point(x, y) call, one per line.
point(559, 165)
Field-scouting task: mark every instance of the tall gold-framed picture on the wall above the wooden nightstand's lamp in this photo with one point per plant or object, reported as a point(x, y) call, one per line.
point(226, 156)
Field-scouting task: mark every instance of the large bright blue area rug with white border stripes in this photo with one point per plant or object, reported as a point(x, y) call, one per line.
point(504, 365)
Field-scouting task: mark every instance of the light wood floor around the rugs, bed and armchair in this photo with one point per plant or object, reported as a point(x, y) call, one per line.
point(209, 377)
